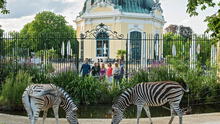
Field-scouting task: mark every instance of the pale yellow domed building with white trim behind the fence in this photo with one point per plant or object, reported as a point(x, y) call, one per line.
point(132, 18)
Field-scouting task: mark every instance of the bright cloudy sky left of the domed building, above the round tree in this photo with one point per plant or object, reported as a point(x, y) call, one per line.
point(16, 22)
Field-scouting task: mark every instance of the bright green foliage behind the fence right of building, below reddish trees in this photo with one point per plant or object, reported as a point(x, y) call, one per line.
point(183, 48)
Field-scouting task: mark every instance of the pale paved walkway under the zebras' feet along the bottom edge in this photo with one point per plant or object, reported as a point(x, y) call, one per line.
point(211, 118)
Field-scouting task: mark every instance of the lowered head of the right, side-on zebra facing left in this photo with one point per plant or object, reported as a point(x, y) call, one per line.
point(117, 115)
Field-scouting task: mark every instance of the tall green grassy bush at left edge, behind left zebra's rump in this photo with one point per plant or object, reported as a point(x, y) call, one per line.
point(14, 87)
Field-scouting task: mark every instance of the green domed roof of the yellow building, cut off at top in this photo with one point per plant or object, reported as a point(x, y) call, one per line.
point(133, 6)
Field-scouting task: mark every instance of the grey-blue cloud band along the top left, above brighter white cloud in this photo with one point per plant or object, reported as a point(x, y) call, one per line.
point(20, 8)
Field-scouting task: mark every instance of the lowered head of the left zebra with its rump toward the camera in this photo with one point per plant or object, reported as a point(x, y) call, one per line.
point(71, 116)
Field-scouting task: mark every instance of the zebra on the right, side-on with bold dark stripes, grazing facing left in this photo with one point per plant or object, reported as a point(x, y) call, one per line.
point(150, 94)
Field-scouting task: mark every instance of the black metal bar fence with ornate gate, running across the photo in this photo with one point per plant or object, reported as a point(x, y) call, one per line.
point(58, 52)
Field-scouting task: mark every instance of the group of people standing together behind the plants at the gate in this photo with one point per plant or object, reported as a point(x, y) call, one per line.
point(100, 71)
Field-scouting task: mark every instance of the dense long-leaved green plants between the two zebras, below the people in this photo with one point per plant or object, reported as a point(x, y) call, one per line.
point(85, 90)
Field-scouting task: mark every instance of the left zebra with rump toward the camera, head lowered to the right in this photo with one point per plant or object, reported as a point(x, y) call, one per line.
point(41, 97)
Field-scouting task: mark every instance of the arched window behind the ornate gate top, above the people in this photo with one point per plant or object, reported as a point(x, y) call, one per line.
point(102, 45)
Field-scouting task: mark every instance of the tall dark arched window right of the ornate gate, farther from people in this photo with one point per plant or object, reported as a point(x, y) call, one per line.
point(135, 46)
